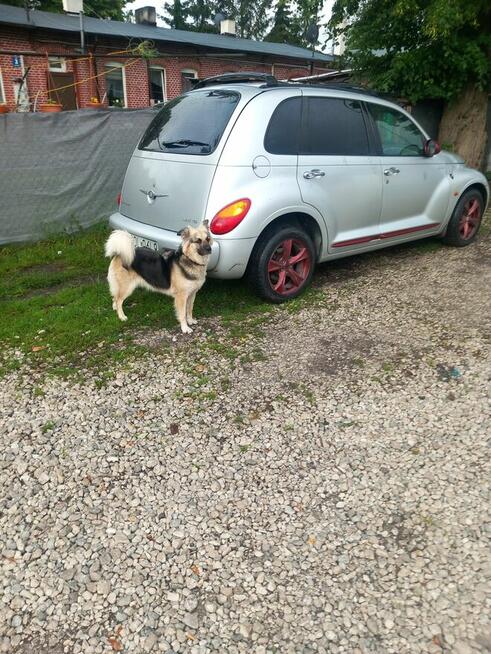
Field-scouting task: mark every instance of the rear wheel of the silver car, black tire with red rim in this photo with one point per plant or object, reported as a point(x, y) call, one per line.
point(282, 264)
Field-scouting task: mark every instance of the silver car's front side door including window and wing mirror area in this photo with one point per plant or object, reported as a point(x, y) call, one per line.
point(416, 188)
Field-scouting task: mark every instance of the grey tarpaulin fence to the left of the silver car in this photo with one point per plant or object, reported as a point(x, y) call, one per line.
point(58, 171)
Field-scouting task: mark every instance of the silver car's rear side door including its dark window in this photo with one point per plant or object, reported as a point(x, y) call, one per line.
point(337, 173)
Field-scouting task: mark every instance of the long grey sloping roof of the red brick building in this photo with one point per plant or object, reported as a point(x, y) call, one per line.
point(46, 20)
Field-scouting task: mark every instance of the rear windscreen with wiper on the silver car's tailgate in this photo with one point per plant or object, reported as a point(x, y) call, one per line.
point(191, 124)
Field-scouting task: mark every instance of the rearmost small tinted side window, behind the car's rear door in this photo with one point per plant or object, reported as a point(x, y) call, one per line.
point(284, 128)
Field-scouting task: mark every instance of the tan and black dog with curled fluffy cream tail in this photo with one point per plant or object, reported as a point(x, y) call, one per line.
point(180, 274)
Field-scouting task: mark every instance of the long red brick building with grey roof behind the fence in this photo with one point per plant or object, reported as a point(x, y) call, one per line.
point(41, 59)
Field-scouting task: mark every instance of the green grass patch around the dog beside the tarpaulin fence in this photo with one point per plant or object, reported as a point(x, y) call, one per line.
point(55, 308)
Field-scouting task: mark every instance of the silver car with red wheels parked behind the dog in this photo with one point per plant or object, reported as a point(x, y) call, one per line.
point(290, 175)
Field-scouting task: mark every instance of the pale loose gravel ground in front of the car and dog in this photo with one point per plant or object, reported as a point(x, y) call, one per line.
point(325, 491)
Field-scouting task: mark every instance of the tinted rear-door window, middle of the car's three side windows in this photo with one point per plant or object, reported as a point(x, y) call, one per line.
point(333, 126)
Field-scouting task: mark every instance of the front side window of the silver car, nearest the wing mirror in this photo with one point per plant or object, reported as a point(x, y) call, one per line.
point(399, 136)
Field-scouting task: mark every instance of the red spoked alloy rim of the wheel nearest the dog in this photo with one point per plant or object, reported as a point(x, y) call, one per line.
point(289, 266)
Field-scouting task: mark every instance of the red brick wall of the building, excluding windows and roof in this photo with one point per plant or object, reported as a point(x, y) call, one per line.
point(17, 41)
